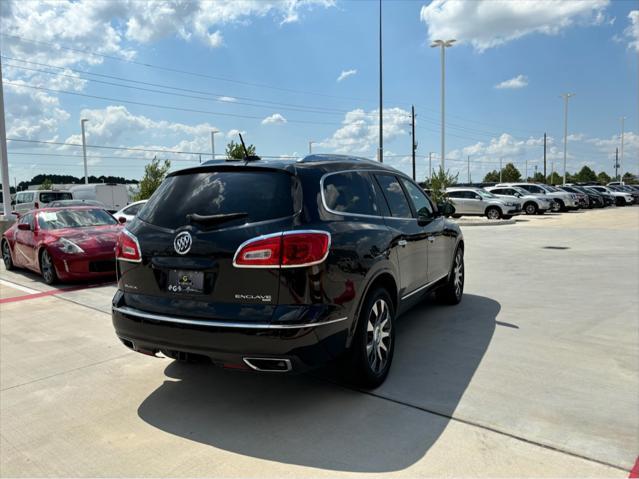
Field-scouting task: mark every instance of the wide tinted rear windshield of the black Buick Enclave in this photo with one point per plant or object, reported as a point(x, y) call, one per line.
point(262, 195)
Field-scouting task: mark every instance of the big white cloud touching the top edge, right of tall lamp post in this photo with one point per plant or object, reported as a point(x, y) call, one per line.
point(489, 23)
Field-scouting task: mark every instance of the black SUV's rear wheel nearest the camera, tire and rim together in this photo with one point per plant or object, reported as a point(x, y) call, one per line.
point(371, 352)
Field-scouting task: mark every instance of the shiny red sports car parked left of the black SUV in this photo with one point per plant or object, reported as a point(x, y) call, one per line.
point(63, 243)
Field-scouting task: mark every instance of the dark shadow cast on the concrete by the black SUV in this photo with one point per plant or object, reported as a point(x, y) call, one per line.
point(310, 421)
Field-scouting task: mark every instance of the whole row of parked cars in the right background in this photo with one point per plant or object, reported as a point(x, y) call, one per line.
point(505, 200)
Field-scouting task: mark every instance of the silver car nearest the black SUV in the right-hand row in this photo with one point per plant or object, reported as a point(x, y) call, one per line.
point(478, 202)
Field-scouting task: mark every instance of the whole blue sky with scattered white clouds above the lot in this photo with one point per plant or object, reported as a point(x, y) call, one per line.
point(271, 68)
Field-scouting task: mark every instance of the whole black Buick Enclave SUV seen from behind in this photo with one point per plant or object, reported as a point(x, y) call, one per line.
point(281, 266)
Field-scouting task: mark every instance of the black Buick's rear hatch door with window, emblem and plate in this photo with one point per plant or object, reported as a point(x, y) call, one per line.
point(188, 234)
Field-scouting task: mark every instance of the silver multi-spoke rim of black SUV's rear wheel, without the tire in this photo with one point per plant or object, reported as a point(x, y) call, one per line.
point(378, 336)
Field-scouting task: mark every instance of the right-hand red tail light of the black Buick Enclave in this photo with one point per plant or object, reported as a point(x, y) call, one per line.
point(290, 249)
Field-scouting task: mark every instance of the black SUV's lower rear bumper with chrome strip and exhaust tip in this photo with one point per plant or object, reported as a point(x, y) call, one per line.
point(228, 344)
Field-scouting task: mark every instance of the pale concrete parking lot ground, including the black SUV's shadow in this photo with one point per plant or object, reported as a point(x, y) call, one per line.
point(536, 373)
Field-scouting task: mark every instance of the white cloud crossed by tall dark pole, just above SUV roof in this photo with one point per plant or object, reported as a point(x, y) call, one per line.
point(360, 130)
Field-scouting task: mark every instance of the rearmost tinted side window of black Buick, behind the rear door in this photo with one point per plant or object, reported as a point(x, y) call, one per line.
point(350, 192)
